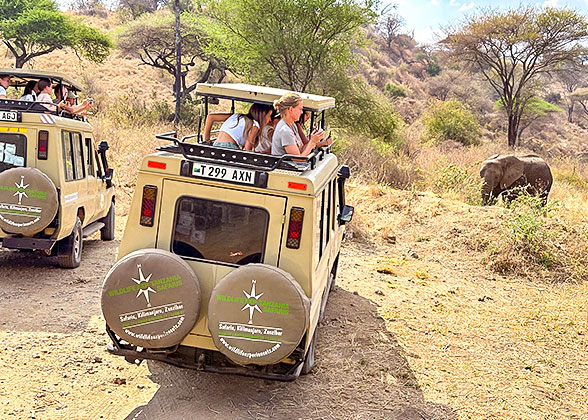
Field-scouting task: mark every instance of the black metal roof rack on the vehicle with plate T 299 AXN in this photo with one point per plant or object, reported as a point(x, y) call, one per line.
point(237, 158)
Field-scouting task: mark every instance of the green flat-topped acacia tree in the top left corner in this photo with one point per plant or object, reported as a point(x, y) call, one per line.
point(31, 28)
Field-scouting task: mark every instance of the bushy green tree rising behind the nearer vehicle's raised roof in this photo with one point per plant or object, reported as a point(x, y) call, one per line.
point(287, 42)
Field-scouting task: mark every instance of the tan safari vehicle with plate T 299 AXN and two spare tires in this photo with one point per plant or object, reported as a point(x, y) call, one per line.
point(228, 256)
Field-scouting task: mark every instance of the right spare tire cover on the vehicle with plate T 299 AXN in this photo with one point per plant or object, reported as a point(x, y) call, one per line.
point(258, 314)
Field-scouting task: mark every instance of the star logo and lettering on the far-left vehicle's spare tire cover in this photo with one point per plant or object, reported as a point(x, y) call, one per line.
point(19, 214)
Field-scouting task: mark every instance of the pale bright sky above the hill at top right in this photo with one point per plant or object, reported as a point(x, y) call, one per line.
point(427, 17)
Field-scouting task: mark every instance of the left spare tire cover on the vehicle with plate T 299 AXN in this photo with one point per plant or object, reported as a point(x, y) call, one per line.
point(151, 298)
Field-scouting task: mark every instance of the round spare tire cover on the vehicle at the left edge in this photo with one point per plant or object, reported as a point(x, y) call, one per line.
point(28, 201)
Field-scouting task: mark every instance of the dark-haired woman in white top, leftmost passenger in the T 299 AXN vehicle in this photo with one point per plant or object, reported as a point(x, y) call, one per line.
point(238, 131)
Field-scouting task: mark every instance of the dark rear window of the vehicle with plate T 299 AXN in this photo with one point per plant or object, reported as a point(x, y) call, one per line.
point(219, 231)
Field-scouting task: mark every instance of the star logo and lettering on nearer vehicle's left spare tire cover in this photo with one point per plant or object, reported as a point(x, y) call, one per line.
point(151, 322)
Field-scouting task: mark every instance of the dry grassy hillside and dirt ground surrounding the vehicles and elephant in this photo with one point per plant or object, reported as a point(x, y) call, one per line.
point(443, 309)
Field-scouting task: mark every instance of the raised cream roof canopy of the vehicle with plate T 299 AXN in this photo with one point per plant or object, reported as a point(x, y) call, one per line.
point(260, 94)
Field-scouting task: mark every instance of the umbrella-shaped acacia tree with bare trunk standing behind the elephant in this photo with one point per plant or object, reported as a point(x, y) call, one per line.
point(512, 48)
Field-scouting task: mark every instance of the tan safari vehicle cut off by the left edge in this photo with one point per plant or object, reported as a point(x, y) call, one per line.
point(55, 185)
